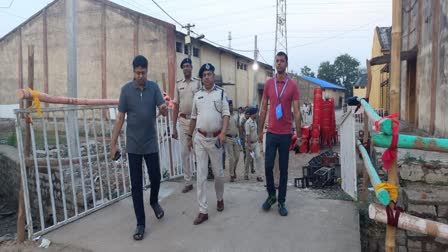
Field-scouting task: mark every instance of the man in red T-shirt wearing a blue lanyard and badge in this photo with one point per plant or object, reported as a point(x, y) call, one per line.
point(281, 92)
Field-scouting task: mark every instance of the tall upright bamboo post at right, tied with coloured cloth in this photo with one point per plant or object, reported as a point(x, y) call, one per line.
point(395, 74)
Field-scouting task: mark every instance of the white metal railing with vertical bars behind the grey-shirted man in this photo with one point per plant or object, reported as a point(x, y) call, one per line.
point(65, 169)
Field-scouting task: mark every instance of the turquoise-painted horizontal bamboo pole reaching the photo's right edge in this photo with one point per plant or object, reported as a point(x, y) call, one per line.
point(412, 142)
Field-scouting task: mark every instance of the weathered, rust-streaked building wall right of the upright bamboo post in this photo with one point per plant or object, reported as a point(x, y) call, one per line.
point(424, 80)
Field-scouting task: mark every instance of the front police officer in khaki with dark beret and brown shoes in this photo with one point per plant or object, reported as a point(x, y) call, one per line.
point(210, 118)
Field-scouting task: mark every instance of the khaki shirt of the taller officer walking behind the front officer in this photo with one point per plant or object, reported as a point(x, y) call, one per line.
point(184, 92)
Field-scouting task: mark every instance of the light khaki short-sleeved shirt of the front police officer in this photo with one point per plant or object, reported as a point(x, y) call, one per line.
point(209, 107)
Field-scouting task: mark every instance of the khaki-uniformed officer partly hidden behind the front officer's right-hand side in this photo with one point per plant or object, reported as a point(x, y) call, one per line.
point(232, 147)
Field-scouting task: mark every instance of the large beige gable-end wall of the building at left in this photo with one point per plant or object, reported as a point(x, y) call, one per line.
point(108, 38)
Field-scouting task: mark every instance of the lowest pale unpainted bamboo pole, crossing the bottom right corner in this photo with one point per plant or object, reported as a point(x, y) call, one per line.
point(408, 222)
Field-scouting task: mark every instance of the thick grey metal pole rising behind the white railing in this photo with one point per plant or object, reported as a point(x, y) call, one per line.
point(72, 86)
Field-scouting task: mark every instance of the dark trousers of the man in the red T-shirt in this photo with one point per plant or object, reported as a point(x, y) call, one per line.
point(281, 143)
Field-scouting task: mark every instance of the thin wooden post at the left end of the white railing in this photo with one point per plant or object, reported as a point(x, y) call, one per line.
point(21, 212)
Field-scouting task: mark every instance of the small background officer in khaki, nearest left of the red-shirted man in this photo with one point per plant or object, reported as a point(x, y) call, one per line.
point(253, 146)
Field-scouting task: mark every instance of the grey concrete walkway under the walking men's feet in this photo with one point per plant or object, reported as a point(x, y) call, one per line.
point(313, 224)
